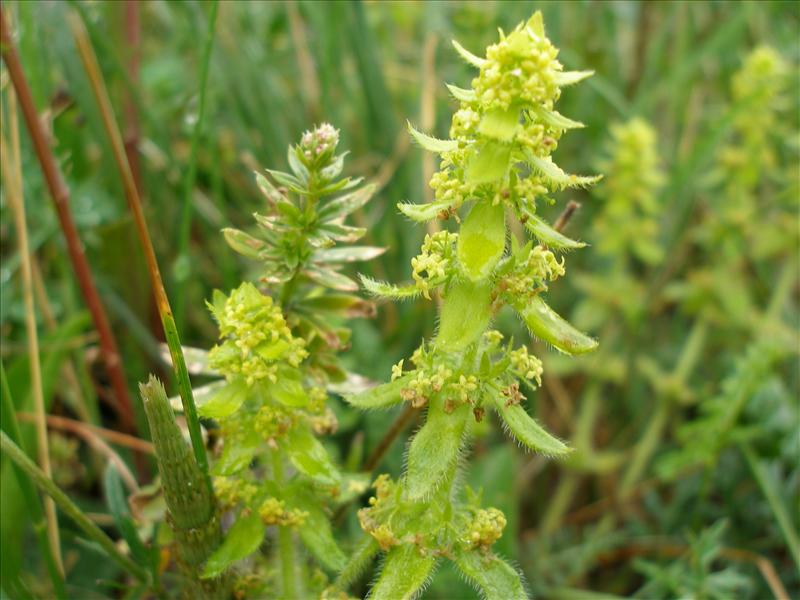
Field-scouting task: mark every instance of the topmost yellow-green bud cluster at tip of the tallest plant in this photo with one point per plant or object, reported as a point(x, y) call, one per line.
point(521, 67)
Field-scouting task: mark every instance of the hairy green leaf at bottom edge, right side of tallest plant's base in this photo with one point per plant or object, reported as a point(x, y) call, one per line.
point(492, 577)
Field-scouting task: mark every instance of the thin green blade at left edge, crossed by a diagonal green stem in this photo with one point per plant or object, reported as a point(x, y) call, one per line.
point(11, 428)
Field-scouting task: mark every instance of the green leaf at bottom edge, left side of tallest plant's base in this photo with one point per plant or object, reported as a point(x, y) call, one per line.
point(405, 571)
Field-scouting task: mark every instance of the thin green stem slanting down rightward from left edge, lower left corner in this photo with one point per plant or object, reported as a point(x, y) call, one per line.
point(69, 508)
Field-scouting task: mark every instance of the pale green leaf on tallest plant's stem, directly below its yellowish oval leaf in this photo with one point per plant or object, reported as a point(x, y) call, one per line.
point(466, 312)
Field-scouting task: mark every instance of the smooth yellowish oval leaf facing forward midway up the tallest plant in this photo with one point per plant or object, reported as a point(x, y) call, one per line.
point(482, 239)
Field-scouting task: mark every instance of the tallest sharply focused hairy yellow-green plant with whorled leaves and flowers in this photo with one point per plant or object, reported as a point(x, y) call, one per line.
point(496, 166)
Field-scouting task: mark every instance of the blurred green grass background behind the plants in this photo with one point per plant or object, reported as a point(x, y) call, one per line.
point(277, 68)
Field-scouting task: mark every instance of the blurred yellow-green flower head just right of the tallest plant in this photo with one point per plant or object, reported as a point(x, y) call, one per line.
point(629, 219)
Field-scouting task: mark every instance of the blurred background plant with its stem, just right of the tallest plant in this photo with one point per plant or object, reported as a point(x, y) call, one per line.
point(626, 231)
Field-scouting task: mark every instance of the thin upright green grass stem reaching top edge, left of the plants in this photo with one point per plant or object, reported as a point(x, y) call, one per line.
point(191, 173)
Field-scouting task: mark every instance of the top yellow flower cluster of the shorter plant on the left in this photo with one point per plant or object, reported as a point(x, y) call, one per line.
point(255, 337)
